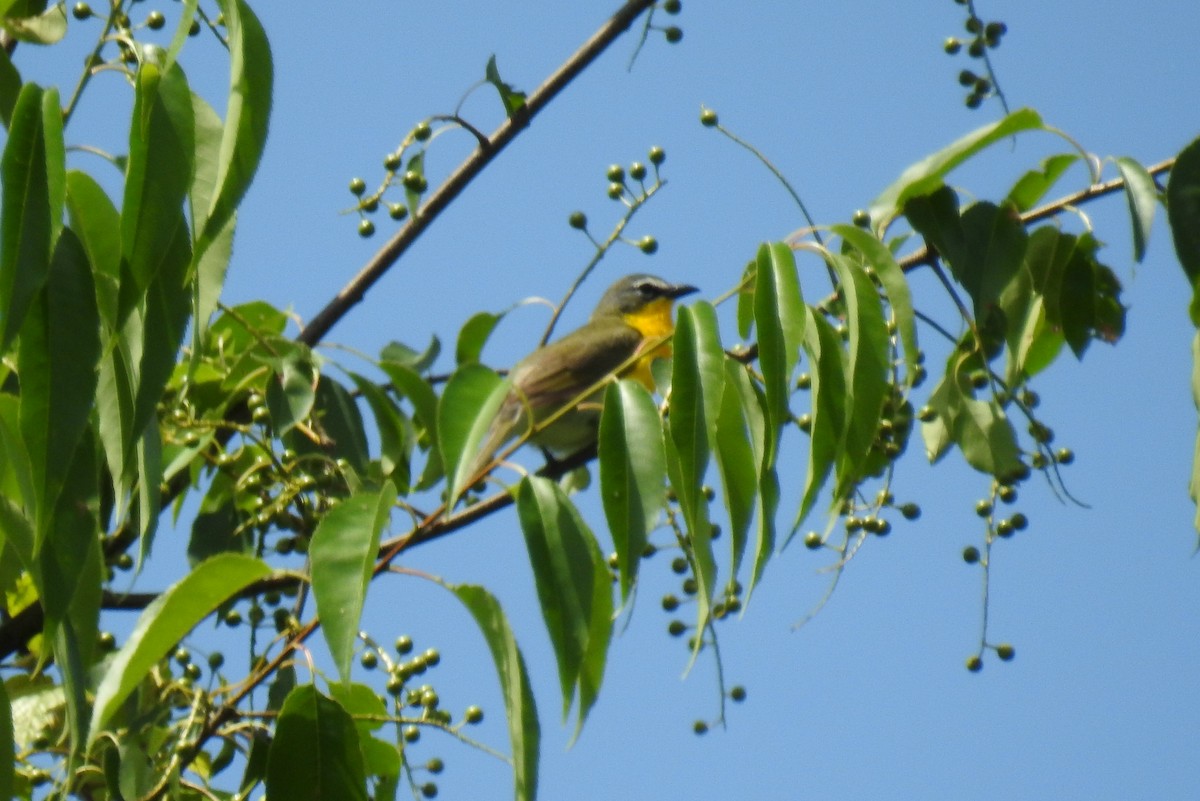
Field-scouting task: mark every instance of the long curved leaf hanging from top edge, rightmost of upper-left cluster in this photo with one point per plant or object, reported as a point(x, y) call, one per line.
point(248, 117)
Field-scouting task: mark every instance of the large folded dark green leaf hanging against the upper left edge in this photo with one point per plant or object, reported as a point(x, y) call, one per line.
point(33, 177)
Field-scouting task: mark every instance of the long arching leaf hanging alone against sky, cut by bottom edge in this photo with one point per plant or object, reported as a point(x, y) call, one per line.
point(524, 731)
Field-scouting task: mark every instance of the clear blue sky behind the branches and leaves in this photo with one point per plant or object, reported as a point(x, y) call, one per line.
point(869, 701)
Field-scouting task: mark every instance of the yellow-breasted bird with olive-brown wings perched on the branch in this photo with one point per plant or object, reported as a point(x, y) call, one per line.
point(634, 315)
